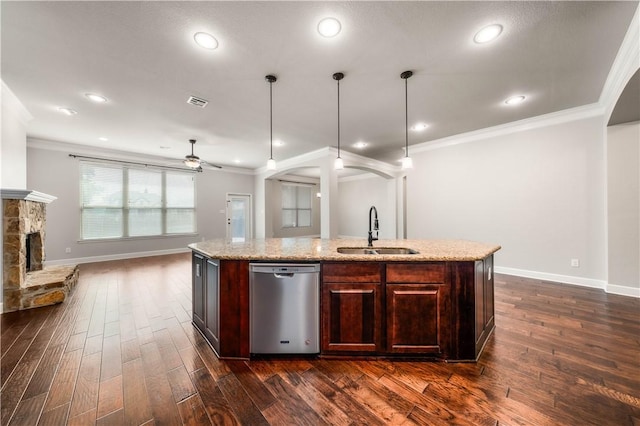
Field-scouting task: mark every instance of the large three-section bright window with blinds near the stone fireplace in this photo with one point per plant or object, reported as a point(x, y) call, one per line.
point(120, 202)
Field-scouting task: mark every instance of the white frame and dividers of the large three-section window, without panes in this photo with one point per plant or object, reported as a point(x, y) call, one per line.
point(125, 208)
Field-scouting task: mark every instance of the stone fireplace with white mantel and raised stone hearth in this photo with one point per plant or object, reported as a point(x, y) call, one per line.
point(26, 282)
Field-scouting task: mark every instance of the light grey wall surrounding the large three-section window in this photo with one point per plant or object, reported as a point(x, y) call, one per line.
point(54, 172)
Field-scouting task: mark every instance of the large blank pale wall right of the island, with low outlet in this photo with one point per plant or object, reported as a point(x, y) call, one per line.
point(539, 193)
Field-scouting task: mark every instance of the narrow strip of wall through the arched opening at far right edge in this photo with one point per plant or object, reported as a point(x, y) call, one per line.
point(623, 158)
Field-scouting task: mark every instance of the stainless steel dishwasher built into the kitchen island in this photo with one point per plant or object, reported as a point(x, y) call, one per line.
point(284, 310)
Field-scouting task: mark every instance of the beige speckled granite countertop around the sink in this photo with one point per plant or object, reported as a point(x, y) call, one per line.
point(316, 249)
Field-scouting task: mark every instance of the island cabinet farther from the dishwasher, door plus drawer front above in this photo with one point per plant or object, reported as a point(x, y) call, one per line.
point(418, 307)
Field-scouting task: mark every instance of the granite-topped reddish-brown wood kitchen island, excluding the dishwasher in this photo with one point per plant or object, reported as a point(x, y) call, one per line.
point(430, 299)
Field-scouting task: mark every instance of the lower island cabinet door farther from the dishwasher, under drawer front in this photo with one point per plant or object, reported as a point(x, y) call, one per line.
point(417, 318)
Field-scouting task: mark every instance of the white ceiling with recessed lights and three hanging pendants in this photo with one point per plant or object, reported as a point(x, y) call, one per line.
point(142, 57)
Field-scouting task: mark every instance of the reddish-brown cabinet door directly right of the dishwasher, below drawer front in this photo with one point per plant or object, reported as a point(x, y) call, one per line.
point(351, 317)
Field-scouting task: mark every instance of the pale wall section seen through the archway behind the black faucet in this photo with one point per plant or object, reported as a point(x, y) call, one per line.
point(356, 195)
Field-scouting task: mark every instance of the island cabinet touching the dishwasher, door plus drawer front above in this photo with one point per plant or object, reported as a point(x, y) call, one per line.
point(352, 307)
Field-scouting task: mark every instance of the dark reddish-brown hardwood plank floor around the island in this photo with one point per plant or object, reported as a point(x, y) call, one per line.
point(122, 350)
